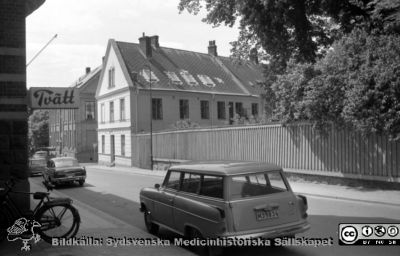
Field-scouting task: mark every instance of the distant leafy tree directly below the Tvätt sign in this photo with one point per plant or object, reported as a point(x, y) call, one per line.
point(39, 129)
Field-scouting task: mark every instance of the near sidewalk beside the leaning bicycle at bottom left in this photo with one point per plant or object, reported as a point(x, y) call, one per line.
point(96, 224)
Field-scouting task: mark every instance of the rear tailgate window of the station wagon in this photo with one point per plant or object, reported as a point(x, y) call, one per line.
point(256, 184)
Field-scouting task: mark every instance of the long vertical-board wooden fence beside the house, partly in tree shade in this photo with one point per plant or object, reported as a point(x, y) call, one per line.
point(340, 152)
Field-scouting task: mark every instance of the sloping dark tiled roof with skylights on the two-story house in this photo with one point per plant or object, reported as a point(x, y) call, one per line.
point(227, 77)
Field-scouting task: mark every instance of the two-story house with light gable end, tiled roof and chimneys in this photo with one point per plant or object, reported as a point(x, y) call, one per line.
point(144, 84)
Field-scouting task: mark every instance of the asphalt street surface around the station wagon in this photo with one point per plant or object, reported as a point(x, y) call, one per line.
point(117, 194)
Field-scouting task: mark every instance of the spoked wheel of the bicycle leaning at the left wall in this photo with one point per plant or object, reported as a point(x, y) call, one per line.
point(58, 221)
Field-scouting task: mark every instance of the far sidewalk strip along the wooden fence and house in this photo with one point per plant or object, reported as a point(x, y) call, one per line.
point(316, 189)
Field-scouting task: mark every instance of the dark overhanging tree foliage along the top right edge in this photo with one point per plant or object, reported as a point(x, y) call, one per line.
point(297, 29)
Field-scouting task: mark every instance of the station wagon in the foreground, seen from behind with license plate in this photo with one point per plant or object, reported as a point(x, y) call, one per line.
point(225, 199)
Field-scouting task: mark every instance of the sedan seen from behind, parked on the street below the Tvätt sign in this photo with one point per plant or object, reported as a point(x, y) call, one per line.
point(61, 170)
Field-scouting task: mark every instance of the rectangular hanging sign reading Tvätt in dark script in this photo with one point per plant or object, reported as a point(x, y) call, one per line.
point(53, 97)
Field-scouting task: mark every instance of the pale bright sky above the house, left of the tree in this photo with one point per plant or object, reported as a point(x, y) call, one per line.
point(84, 27)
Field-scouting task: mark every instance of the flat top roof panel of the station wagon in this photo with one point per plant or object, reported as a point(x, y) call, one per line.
point(226, 168)
